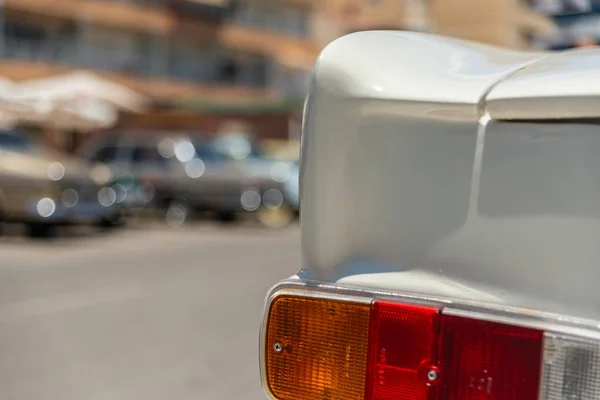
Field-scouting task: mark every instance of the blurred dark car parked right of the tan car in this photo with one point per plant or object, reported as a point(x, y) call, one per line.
point(184, 177)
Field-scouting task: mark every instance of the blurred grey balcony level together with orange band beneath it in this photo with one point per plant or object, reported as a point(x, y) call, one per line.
point(148, 63)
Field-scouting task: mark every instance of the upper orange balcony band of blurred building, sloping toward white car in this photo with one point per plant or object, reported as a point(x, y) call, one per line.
point(148, 17)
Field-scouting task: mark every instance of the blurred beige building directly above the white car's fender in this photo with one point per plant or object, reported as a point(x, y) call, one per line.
point(507, 23)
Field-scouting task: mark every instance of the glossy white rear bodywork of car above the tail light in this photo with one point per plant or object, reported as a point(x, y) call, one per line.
point(409, 182)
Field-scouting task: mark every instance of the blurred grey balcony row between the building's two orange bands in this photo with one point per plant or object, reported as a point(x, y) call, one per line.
point(141, 56)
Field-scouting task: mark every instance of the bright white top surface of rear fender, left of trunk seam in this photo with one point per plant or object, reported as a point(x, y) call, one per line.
point(413, 67)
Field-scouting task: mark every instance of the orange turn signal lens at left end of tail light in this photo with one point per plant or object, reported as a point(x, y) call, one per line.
point(316, 348)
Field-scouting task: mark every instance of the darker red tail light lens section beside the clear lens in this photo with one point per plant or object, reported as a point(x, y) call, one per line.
point(489, 361)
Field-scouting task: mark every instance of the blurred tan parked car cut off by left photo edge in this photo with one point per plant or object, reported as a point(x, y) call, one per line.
point(43, 188)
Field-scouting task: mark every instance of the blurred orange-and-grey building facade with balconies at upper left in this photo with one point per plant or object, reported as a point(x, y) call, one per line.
point(164, 48)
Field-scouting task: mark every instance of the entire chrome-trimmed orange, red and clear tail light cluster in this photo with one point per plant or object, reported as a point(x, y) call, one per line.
point(339, 344)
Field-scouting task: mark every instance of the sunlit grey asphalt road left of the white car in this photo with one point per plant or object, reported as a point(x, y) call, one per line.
point(147, 314)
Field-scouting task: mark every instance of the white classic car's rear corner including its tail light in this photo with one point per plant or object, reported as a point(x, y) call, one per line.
point(450, 196)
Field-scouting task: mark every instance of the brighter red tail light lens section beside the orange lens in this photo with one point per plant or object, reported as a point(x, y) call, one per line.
point(402, 352)
